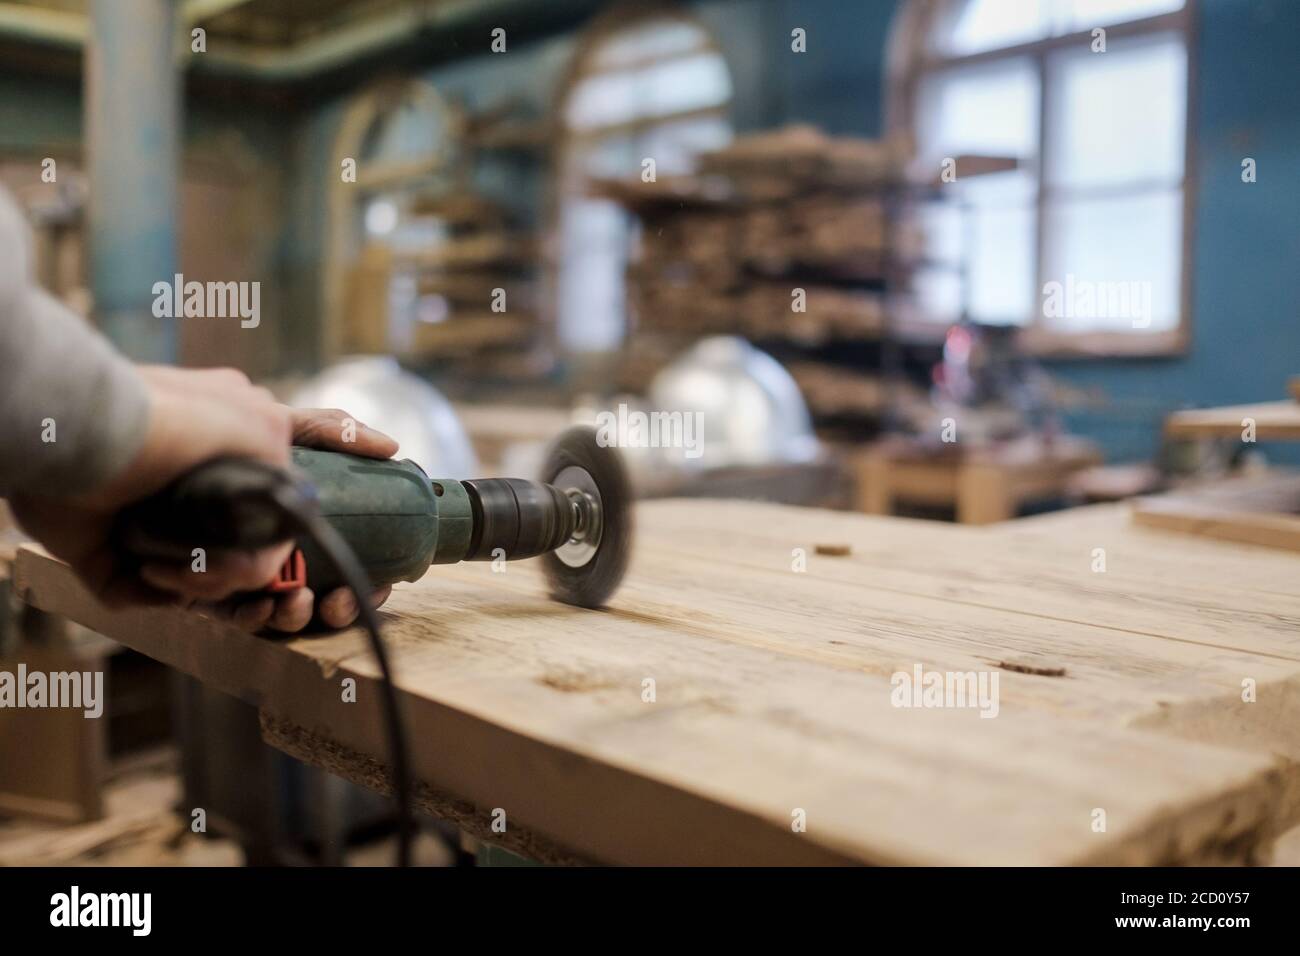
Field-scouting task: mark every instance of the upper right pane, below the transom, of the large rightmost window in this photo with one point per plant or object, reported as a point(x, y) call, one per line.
point(1119, 116)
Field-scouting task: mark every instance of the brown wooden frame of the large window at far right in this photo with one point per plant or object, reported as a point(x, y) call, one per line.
point(913, 59)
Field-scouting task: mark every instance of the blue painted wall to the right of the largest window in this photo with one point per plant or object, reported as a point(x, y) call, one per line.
point(1246, 259)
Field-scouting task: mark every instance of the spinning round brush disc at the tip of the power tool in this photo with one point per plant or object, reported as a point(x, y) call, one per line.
point(588, 570)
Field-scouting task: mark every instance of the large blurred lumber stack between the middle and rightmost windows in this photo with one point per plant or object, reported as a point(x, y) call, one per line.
point(787, 239)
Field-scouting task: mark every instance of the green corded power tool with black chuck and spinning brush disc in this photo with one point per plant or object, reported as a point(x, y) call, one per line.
point(363, 524)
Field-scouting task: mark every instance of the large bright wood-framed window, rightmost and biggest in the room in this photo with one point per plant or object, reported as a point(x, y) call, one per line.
point(1084, 244)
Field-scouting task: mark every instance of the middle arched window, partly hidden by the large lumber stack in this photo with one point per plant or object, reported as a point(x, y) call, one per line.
point(645, 86)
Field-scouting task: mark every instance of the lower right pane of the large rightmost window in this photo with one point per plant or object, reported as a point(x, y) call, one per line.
point(1116, 262)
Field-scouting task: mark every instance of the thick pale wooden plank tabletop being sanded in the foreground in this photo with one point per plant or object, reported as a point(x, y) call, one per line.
point(731, 708)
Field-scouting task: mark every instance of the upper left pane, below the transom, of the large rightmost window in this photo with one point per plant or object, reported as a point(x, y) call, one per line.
point(980, 110)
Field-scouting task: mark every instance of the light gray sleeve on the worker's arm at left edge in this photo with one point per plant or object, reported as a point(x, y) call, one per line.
point(73, 412)
